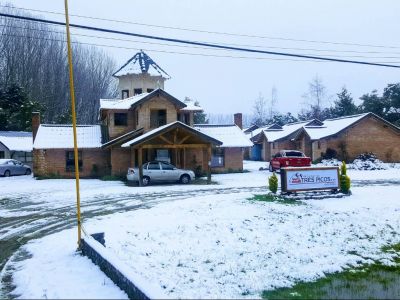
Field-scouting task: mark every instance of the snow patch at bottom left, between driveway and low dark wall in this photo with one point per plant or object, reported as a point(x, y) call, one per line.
point(57, 271)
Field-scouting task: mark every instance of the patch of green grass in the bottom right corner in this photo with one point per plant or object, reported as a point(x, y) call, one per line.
point(369, 281)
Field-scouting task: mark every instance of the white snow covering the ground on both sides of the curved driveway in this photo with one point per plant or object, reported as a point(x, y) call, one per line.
point(218, 245)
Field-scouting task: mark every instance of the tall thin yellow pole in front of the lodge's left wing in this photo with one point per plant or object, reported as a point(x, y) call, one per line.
point(76, 158)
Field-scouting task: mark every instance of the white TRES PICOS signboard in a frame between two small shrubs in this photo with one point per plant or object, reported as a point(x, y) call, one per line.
point(306, 179)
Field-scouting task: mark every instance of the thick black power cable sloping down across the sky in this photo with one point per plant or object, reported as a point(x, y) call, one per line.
point(216, 46)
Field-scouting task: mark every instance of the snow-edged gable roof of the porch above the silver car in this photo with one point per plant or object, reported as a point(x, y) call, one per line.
point(162, 129)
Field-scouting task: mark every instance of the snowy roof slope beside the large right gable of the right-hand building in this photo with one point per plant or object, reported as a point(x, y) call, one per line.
point(332, 126)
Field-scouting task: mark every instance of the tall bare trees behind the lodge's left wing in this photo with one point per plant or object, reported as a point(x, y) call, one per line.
point(34, 75)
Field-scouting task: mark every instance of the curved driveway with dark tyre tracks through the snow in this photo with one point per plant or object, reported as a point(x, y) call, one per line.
point(38, 219)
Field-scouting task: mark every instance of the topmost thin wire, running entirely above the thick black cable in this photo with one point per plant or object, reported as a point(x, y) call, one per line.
point(209, 32)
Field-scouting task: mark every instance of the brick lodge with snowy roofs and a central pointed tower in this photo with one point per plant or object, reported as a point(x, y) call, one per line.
point(146, 123)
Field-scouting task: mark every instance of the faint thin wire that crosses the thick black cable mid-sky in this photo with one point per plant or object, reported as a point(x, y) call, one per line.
point(230, 44)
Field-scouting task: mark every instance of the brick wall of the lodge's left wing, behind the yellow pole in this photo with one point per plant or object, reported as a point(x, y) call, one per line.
point(53, 162)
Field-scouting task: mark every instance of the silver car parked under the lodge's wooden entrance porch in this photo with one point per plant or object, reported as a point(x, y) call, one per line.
point(159, 171)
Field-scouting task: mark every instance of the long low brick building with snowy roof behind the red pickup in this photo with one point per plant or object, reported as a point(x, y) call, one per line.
point(348, 136)
